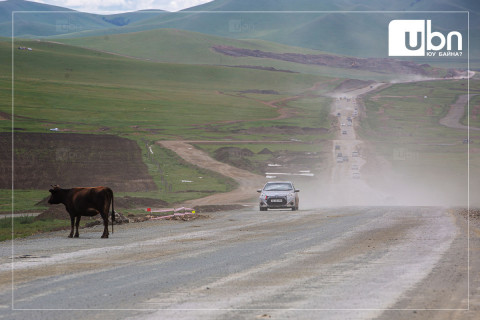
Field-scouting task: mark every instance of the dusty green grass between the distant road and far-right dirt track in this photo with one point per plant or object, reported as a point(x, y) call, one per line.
point(402, 114)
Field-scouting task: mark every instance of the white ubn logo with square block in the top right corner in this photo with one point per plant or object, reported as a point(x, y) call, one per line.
point(414, 38)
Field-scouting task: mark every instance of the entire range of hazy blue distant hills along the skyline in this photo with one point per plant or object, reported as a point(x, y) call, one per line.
point(345, 27)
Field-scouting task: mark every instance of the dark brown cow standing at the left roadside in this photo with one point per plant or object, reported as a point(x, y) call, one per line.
point(84, 202)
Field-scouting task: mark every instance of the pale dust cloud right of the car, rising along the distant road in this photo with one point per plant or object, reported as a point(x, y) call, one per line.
point(356, 175)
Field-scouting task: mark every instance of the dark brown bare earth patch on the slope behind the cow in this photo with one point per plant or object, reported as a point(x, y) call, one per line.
point(73, 160)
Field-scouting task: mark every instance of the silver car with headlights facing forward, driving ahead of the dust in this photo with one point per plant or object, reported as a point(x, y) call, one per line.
point(279, 195)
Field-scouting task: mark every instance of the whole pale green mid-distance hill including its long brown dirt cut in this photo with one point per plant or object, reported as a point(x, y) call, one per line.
point(185, 47)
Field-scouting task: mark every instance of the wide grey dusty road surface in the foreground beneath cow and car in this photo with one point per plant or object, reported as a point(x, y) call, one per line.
point(321, 263)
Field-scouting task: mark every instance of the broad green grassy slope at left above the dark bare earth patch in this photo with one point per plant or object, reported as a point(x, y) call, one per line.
point(83, 90)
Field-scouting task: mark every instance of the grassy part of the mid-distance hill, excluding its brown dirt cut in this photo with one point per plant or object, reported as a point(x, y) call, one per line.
point(185, 47)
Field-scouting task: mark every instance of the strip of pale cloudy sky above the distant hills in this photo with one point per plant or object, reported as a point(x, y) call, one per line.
point(95, 6)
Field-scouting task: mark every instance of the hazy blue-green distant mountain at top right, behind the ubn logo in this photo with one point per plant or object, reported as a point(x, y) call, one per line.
point(351, 30)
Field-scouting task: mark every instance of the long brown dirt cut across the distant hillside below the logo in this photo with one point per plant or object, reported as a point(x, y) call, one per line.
point(370, 64)
